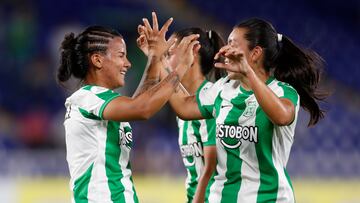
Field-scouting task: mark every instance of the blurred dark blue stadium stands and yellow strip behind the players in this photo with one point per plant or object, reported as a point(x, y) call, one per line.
point(325, 160)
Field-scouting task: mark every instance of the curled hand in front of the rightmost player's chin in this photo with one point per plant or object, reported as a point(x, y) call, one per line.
point(235, 60)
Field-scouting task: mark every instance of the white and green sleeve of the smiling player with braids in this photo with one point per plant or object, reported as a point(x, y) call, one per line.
point(94, 100)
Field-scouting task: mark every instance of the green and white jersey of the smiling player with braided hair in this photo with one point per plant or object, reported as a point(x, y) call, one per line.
point(98, 150)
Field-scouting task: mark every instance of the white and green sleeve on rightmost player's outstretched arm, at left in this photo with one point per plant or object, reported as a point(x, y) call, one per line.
point(206, 96)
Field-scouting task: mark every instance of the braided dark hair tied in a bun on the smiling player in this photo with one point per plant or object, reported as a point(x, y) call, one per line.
point(75, 51)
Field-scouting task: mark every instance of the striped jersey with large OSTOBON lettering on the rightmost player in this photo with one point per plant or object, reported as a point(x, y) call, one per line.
point(252, 152)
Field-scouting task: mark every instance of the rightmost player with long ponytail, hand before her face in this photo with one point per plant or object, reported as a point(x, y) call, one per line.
point(256, 109)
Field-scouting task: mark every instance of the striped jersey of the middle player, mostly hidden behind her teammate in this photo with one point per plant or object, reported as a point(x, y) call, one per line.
point(193, 136)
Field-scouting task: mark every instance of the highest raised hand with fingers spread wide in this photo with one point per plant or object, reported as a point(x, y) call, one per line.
point(152, 40)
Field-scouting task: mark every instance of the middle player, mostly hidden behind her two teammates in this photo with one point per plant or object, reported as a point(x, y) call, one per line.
point(197, 137)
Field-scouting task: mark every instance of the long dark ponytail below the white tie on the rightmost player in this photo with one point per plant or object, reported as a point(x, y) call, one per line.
point(301, 68)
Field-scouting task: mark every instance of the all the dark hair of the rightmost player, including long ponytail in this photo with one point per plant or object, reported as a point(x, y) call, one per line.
point(299, 67)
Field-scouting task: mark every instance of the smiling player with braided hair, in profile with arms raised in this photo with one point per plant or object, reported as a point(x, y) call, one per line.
point(98, 136)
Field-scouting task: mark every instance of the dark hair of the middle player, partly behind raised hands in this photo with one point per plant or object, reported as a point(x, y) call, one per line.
point(210, 42)
